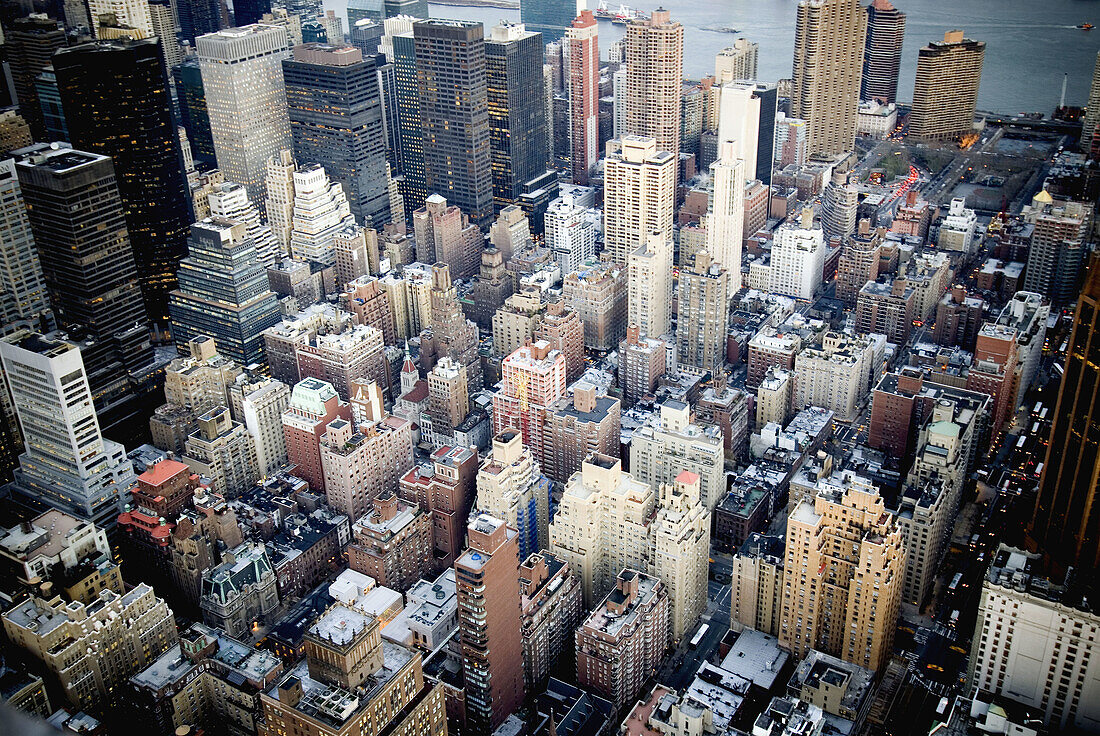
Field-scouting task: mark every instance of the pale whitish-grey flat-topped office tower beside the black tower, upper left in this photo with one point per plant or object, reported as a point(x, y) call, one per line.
point(243, 79)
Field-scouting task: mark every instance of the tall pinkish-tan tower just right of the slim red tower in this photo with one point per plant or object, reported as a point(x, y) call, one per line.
point(655, 59)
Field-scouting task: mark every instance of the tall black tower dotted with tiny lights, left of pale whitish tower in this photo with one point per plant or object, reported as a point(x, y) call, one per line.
point(116, 101)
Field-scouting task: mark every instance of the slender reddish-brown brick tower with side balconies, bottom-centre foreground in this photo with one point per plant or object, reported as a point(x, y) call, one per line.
point(488, 580)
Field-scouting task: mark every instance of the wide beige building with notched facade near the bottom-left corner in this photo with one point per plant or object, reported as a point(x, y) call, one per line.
point(92, 651)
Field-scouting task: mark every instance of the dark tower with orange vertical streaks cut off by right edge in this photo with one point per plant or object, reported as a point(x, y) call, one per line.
point(1066, 524)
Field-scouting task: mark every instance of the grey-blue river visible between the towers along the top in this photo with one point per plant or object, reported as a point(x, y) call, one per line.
point(1030, 45)
